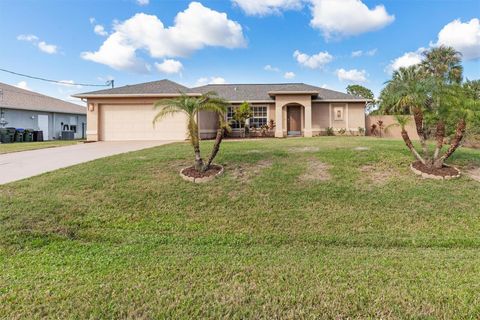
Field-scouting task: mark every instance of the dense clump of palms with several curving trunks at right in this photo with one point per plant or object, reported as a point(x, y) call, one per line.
point(432, 92)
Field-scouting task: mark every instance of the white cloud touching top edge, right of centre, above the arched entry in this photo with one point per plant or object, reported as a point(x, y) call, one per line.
point(347, 17)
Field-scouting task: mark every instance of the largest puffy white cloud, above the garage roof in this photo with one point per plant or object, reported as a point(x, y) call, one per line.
point(195, 28)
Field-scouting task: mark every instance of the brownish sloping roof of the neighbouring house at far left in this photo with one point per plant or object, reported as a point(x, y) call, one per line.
point(15, 98)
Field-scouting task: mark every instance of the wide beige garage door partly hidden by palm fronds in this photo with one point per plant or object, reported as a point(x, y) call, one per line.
point(134, 122)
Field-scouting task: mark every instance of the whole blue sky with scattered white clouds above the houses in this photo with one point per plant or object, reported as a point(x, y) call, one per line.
point(330, 43)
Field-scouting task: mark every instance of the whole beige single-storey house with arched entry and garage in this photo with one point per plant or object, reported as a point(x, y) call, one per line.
point(126, 113)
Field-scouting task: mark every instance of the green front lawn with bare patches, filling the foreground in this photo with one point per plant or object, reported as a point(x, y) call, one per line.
point(359, 237)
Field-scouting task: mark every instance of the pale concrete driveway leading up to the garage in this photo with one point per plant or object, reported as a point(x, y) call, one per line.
point(20, 165)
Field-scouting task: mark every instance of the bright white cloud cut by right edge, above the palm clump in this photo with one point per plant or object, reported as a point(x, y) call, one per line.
point(463, 36)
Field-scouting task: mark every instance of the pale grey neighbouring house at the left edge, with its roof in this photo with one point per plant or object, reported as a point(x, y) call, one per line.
point(26, 109)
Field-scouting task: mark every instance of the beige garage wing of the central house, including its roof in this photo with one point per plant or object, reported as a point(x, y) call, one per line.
point(127, 113)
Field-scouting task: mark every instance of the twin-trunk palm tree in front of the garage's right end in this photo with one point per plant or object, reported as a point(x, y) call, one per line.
point(191, 106)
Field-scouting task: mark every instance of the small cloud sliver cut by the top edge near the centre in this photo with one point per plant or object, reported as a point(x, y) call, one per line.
point(267, 7)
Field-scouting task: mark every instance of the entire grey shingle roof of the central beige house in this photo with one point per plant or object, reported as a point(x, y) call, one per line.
point(230, 92)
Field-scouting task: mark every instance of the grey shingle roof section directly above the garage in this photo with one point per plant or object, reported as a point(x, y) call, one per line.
point(155, 87)
